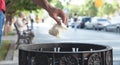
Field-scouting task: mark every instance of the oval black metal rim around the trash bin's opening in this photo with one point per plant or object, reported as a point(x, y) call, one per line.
point(58, 43)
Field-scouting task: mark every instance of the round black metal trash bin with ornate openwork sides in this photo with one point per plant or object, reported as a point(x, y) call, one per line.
point(65, 54)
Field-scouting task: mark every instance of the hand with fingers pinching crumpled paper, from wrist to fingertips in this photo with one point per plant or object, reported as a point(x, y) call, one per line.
point(55, 13)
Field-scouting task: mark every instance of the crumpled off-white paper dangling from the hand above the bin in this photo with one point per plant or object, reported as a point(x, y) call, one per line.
point(57, 29)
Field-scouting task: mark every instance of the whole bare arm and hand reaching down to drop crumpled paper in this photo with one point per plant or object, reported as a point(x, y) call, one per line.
point(53, 12)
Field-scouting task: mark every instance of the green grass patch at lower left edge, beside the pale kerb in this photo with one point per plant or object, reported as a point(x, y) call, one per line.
point(4, 49)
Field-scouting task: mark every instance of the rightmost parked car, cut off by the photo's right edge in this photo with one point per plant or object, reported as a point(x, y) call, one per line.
point(115, 25)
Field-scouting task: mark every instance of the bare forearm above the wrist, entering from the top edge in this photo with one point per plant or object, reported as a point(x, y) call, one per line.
point(44, 4)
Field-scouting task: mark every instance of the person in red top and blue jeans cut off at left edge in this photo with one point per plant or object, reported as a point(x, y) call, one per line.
point(2, 17)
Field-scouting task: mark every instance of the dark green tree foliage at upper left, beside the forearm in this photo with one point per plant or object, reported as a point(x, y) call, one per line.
point(14, 5)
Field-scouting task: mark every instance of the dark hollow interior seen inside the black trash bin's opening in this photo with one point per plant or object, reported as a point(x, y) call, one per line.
point(63, 47)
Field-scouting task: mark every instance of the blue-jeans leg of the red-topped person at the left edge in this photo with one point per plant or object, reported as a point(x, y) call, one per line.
point(1, 25)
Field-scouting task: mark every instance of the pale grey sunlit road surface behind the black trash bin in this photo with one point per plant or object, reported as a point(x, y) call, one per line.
point(81, 36)
